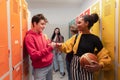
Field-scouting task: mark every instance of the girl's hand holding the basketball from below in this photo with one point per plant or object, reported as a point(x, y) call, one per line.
point(94, 67)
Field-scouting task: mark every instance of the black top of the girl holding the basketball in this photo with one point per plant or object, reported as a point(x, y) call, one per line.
point(88, 43)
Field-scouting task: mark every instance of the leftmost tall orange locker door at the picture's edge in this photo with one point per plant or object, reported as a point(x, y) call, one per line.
point(4, 55)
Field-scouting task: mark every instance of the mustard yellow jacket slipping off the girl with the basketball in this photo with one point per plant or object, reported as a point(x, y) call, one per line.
point(103, 56)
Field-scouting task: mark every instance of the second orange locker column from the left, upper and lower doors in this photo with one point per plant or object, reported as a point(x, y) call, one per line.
point(15, 39)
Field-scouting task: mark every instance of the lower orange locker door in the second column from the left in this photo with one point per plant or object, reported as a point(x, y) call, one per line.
point(17, 73)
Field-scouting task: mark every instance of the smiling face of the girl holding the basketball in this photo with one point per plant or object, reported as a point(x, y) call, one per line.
point(82, 25)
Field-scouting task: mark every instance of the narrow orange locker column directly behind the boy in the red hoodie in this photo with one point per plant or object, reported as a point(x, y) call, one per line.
point(24, 29)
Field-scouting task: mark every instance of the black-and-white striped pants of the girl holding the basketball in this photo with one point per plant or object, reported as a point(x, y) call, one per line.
point(79, 73)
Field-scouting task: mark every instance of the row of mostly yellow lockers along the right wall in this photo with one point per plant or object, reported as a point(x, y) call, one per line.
point(107, 28)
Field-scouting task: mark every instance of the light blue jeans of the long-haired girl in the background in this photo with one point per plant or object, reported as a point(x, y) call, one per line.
point(58, 62)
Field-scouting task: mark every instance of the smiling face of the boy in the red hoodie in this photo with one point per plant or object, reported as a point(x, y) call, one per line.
point(39, 27)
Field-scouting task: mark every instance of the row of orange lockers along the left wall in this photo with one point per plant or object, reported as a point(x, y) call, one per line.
point(13, 24)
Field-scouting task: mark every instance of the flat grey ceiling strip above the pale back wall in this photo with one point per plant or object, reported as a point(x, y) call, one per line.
point(52, 3)
